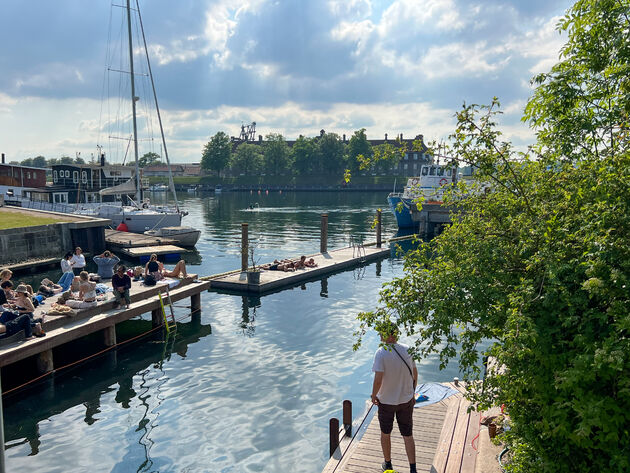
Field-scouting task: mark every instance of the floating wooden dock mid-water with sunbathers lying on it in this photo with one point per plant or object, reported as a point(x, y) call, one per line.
point(328, 262)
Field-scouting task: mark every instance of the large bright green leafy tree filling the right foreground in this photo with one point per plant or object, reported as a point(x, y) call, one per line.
point(536, 267)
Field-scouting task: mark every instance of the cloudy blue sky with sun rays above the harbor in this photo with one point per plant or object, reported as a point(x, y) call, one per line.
point(294, 67)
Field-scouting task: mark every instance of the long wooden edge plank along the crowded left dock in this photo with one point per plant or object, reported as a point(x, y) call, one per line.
point(84, 327)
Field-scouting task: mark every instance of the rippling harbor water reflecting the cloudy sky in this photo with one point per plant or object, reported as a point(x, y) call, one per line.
point(250, 386)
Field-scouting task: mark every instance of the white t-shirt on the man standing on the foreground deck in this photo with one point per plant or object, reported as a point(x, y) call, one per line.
point(397, 387)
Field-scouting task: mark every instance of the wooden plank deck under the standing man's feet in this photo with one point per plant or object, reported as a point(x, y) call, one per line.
point(443, 433)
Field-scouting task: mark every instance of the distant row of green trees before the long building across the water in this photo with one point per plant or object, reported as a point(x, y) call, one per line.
point(326, 154)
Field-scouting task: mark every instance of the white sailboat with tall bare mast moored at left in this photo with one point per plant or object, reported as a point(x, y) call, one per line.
point(138, 214)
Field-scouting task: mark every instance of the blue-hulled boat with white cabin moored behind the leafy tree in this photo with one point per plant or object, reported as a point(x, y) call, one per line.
point(428, 187)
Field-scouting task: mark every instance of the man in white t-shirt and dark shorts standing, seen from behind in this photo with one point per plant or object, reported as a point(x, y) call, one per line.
point(393, 390)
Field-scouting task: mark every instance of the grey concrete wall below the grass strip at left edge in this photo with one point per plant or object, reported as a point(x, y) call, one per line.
point(44, 241)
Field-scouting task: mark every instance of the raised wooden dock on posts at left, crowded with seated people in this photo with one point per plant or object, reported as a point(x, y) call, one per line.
point(64, 329)
